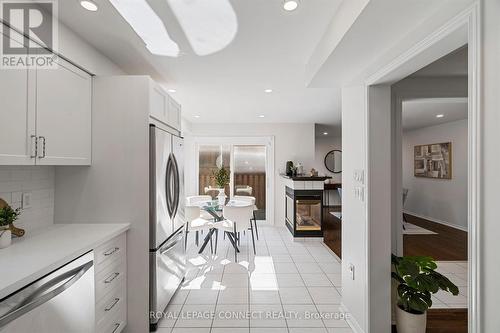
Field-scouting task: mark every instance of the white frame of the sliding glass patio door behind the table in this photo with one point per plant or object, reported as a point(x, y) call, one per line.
point(267, 141)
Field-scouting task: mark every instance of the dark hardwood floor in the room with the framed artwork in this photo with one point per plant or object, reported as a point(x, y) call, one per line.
point(448, 244)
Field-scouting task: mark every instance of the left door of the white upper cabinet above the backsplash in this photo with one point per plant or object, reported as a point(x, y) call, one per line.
point(17, 118)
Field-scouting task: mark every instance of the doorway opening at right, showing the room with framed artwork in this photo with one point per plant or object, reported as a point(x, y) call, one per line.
point(432, 149)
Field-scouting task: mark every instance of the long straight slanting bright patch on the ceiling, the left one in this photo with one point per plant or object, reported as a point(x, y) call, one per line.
point(148, 26)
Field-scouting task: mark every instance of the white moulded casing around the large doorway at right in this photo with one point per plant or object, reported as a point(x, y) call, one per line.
point(441, 42)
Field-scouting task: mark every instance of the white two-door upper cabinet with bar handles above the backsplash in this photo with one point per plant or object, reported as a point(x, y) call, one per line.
point(45, 115)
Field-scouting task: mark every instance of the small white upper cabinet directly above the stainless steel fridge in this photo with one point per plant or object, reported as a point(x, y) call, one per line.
point(163, 107)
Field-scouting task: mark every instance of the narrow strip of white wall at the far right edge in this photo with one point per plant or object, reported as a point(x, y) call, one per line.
point(490, 166)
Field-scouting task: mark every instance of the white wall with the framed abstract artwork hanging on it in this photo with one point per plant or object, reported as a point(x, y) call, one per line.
point(438, 199)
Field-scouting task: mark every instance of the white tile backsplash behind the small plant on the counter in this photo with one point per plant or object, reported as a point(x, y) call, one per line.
point(39, 180)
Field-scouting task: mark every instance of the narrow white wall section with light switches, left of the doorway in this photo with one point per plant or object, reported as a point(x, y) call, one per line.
point(353, 210)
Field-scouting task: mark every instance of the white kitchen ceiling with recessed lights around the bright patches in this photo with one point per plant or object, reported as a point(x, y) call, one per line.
point(270, 50)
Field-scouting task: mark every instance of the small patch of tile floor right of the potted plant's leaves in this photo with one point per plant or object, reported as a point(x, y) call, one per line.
point(457, 272)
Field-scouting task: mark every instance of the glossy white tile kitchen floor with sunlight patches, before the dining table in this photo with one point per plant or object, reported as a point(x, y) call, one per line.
point(288, 286)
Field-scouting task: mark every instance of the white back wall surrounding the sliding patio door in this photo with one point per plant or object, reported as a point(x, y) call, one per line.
point(292, 142)
